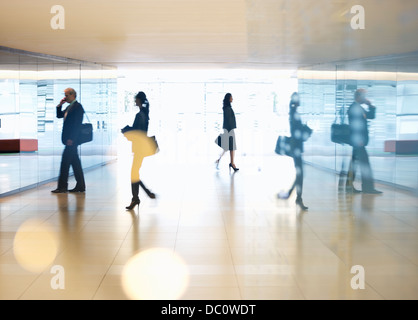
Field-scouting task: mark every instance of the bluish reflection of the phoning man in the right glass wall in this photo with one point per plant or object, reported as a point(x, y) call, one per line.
point(359, 136)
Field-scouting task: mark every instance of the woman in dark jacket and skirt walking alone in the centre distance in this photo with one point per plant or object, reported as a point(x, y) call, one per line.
point(228, 142)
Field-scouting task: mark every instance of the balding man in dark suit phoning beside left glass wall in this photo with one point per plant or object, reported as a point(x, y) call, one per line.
point(73, 119)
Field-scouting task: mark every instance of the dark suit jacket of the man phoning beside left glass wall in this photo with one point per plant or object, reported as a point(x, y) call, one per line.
point(72, 122)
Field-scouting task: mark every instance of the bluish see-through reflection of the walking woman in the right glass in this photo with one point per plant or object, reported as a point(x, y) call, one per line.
point(297, 129)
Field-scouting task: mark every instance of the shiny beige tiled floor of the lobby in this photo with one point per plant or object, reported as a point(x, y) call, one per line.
point(209, 235)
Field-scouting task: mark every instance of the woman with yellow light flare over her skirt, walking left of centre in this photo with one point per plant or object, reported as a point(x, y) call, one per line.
point(141, 147)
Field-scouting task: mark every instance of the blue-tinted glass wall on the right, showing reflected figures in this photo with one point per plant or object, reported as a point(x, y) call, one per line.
point(326, 93)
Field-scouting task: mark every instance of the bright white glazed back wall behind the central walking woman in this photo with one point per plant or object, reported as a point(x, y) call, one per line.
point(186, 111)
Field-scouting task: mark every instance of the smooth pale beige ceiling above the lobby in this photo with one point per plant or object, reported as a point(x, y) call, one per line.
point(211, 33)
